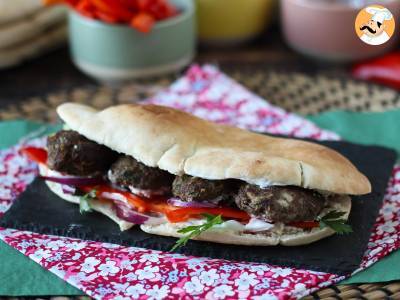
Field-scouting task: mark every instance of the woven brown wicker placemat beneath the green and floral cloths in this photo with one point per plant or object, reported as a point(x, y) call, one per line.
point(294, 91)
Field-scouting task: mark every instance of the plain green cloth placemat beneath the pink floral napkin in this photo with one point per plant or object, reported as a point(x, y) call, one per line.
point(366, 128)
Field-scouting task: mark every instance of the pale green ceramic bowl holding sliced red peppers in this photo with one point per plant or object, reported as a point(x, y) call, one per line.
point(116, 53)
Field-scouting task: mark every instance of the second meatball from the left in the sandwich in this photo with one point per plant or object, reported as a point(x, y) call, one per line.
point(128, 172)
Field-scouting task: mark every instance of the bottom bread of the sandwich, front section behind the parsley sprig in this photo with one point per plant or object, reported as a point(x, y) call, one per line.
point(280, 234)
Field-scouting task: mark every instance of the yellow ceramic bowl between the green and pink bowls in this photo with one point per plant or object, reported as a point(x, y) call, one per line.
point(228, 22)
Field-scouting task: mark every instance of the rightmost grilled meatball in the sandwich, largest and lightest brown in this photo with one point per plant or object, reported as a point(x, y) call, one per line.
point(280, 203)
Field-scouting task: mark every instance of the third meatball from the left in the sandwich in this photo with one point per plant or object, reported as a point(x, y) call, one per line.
point(189, 188)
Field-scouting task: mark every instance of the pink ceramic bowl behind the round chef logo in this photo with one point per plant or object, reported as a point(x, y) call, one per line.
point(325, 29)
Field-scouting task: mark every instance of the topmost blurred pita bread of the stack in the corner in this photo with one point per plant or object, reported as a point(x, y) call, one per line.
point(12, 10)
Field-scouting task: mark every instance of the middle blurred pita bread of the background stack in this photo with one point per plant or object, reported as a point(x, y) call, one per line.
point(14, 33)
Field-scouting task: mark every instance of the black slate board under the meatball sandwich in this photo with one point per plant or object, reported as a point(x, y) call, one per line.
point(39, 210)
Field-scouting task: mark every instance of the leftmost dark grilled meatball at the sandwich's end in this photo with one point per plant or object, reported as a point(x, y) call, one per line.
point(72, 153)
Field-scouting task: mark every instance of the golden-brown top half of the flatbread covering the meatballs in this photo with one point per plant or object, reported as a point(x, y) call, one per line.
point(181, 143)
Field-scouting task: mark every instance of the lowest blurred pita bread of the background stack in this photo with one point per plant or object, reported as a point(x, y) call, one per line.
point(45, 42)
